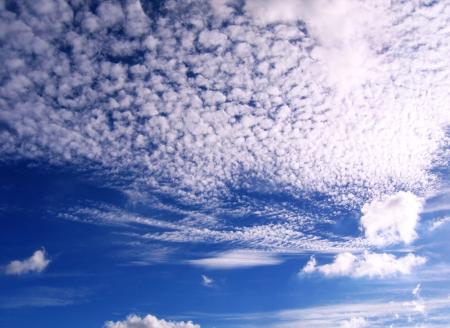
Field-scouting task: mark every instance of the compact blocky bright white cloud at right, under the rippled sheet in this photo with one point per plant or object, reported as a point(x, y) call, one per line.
point(392, 219)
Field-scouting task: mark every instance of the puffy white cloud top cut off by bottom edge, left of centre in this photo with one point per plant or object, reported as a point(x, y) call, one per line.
point(149, 321)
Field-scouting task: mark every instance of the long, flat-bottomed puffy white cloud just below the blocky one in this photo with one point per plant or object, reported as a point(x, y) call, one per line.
point(371, 265)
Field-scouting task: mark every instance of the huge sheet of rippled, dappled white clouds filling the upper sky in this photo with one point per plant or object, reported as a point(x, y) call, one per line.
point(187, 99)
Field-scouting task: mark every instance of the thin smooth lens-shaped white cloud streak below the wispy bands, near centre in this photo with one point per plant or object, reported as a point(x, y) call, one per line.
point(237, 259)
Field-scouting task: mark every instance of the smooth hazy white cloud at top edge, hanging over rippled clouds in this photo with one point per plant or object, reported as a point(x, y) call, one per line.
point(347, 32)
